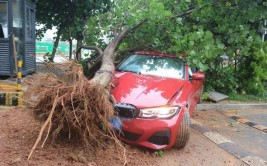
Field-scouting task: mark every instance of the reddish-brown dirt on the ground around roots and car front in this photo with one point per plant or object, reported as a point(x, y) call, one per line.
point(19, 130)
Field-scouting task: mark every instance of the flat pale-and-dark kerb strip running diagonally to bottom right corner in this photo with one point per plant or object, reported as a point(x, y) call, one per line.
point(246, 156)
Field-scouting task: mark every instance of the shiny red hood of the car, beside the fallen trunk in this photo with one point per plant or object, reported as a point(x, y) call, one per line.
point(144, 90)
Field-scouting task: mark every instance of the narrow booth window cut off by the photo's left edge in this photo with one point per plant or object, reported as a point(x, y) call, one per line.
point(3, 20)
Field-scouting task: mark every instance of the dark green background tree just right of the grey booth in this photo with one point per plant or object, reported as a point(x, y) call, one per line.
point(68, 16)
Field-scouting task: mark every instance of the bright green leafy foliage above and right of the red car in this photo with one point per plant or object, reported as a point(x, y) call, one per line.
point(203, 30)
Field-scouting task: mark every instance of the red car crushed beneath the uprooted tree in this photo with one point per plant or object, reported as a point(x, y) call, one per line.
point(155, 95)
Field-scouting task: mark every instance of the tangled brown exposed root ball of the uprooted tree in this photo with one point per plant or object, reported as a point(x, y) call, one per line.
point(75, 107)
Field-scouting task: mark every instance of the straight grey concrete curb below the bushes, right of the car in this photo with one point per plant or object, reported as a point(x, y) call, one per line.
point(200, 107)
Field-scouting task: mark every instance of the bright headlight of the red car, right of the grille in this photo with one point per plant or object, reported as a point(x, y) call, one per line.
point(160, 112)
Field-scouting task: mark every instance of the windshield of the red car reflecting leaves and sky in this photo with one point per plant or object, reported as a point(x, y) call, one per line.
point(161, 66)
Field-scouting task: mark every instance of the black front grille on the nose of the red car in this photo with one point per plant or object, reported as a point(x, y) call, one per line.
point(126, 110)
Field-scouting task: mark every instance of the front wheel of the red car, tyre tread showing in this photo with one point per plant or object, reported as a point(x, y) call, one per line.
point(184, 131)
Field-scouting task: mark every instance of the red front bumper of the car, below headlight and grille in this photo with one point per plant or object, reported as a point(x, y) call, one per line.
point(150, 133)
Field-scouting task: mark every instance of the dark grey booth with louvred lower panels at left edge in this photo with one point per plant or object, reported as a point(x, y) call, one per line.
point(17, 36)
